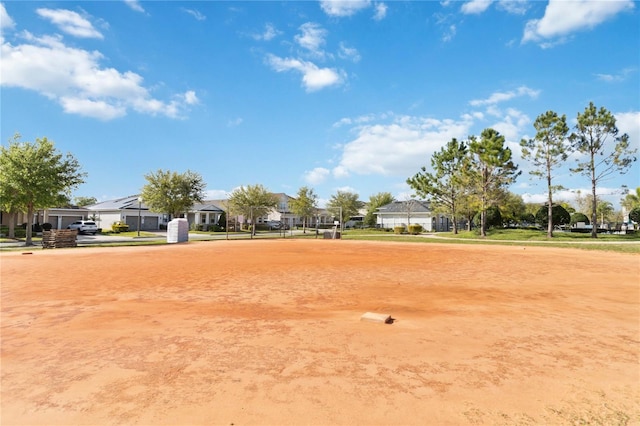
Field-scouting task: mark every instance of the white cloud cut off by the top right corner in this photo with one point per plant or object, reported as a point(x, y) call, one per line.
point(563, 17)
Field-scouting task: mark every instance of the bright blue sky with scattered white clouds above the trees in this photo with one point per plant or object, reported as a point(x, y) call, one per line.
point(333, 95)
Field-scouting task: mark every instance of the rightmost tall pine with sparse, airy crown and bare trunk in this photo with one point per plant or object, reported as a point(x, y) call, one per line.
point(593, 133)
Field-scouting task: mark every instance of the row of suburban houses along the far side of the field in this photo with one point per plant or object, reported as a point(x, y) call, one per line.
point(134, 212)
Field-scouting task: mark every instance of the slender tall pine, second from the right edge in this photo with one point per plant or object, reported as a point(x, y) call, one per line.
point(546, 151)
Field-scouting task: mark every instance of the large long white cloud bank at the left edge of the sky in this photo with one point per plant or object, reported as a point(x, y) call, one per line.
point(75, 79)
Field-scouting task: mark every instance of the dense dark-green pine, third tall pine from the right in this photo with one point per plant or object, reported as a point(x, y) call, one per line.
point(489, 168)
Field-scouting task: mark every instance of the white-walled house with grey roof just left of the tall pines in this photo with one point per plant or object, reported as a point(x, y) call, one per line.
point(411, 212)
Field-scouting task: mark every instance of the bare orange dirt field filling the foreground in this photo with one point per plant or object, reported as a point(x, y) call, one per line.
point(269, 333)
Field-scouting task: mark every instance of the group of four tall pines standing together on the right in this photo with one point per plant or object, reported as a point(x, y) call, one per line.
point(473, 175)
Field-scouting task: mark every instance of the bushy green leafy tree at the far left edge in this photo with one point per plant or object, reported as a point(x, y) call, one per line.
point(35, 176)
